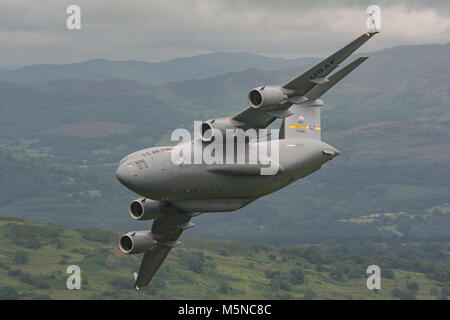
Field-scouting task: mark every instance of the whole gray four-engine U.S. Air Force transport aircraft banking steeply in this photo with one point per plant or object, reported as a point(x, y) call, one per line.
point(172, 194)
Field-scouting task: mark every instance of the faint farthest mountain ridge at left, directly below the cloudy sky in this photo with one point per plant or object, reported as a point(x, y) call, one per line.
point(148, 73)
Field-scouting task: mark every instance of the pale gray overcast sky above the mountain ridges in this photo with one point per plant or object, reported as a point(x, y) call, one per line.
point(154, 30)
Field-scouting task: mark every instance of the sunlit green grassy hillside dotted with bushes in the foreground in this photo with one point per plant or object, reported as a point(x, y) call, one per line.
point(34, 258)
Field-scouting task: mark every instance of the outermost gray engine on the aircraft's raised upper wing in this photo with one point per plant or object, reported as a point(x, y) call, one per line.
point(267, 97)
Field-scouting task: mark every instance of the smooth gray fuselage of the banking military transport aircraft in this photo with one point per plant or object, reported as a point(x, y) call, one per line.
point(161, 179)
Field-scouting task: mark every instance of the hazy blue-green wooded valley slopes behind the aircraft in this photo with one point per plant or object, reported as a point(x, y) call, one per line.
point(61, 142)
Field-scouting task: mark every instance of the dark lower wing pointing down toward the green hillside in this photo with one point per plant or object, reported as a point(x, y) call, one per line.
point(166, 230)
